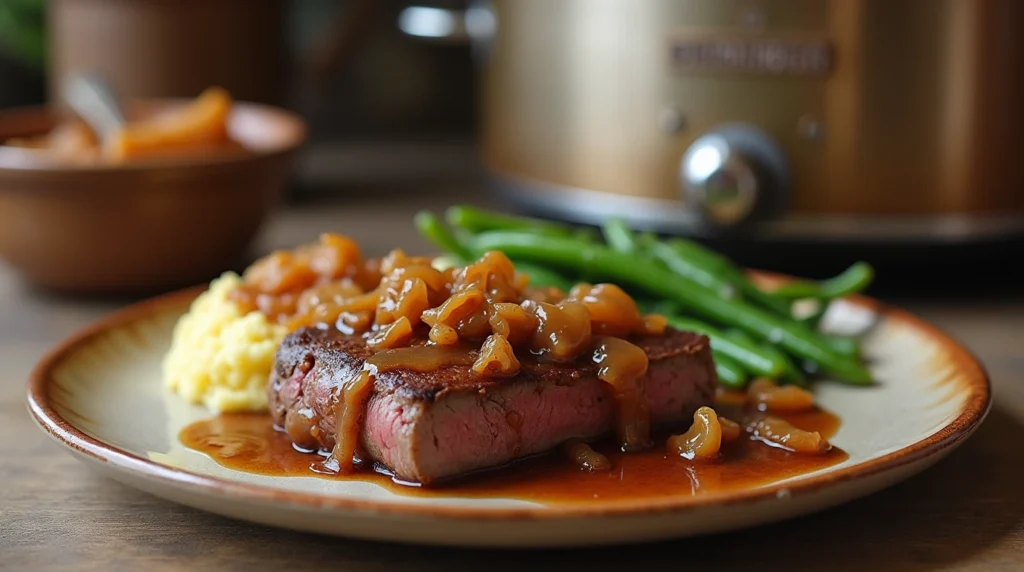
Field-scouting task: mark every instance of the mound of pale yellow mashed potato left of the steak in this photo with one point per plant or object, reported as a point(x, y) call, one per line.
point(221, 358)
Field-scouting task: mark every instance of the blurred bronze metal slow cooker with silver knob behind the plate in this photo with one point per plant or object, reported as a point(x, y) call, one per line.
point(850, 120)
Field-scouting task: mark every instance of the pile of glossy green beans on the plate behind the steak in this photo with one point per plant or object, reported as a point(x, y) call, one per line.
point(754, 332)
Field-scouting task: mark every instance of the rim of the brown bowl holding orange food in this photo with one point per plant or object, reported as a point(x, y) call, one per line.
point(21, 161)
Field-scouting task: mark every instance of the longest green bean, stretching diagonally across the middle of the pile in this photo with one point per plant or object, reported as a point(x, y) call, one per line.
point(645, 275)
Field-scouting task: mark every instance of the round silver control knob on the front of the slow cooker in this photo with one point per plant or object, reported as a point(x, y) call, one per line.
point(733, 175)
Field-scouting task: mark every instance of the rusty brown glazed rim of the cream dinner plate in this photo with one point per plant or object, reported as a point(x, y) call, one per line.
point(974, 412)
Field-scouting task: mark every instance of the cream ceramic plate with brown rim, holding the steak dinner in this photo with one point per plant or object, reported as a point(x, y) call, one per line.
point(100, 395)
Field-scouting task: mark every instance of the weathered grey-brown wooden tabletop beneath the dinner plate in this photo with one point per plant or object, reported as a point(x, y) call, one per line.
point(967, 513)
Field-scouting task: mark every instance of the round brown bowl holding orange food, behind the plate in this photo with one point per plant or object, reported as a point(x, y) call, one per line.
point(146, 227)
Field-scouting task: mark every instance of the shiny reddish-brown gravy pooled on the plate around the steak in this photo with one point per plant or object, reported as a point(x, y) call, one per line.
point(250, 444)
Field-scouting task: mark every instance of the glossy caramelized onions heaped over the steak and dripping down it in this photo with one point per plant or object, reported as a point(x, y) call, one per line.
point(478, 317)
